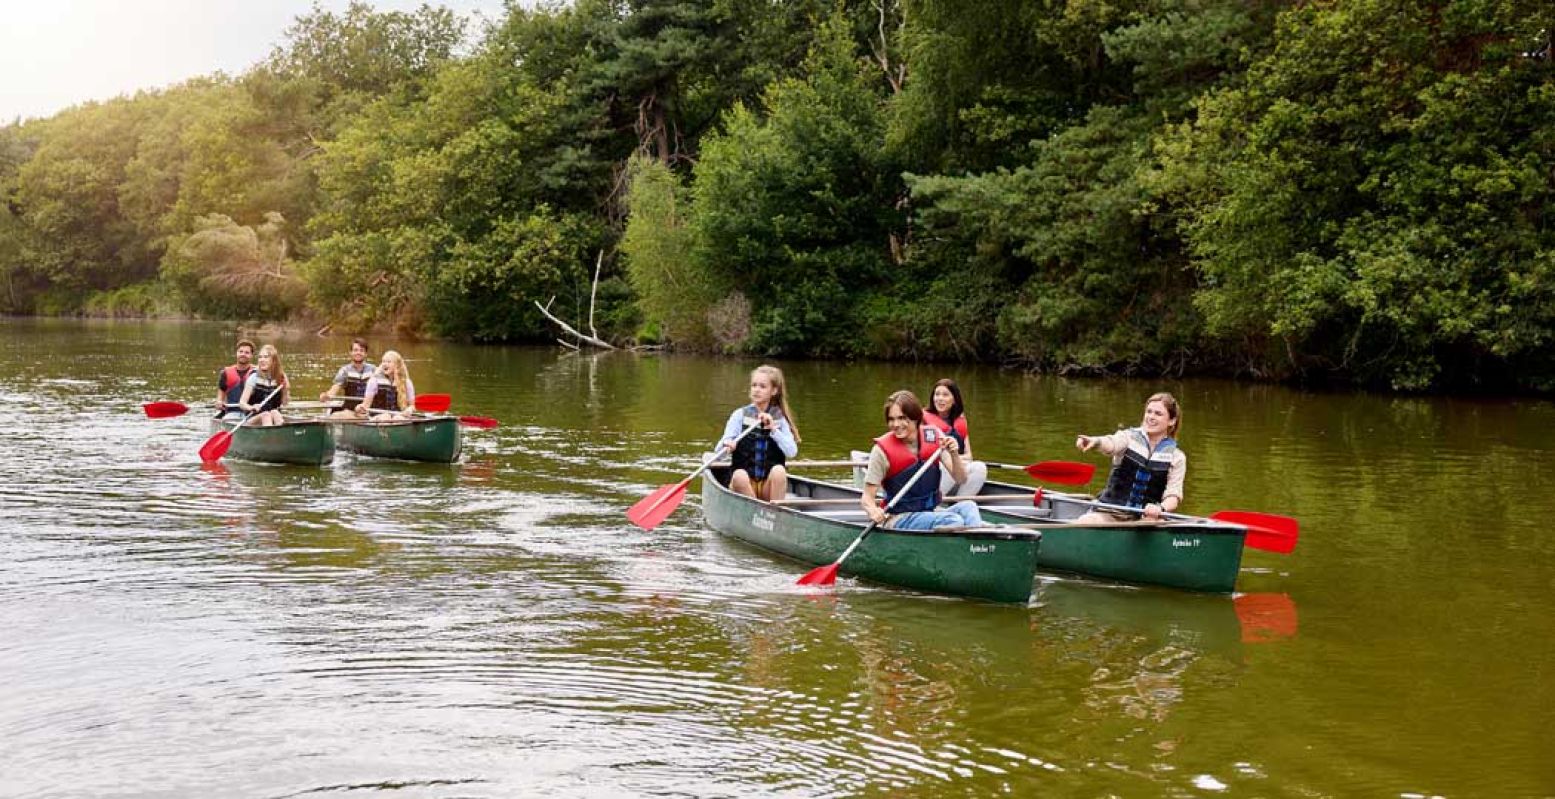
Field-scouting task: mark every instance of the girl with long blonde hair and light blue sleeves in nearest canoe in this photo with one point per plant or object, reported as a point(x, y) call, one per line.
point(758, 459)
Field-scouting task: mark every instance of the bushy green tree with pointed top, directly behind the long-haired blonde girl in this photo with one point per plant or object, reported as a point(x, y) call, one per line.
point(794, 211)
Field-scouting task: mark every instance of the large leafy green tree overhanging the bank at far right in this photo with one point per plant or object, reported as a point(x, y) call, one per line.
point(1375, 198)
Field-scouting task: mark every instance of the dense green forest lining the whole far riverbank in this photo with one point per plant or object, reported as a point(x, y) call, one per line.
point(1354, 192)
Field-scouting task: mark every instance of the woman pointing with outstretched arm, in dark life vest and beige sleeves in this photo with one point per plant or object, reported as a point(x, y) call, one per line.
point(1147, 467)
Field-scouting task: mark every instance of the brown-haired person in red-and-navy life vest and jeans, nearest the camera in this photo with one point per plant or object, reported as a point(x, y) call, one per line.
point(898, 456)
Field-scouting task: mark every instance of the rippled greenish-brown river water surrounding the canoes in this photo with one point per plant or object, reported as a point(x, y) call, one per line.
point(498, 629)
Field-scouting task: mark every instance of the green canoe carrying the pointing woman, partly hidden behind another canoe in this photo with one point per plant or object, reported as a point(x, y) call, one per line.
point(1193, 556)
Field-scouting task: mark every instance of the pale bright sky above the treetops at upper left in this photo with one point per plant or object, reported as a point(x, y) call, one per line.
point(58, 54)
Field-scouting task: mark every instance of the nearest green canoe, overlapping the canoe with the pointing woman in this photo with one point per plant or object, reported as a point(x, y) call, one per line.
point(988, 563)
